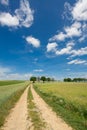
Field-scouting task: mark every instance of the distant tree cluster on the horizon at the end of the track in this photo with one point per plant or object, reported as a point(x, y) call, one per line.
point(42, 78)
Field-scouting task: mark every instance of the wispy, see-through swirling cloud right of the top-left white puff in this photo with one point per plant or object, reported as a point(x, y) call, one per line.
point(24, 14)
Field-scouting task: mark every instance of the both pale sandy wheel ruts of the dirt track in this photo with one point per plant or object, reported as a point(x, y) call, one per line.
point(17, 120)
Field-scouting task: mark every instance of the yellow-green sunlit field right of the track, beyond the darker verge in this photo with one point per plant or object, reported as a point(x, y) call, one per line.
point(75, 92)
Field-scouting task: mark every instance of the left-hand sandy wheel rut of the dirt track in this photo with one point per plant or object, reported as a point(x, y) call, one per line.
point(17, 120)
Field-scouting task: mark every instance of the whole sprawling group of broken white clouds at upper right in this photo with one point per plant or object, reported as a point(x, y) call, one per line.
point(76, 31)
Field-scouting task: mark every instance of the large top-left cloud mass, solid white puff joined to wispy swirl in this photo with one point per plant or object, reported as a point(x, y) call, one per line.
point(22, 16)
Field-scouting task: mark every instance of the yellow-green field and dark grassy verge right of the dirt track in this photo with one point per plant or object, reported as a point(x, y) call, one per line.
point(62, 98)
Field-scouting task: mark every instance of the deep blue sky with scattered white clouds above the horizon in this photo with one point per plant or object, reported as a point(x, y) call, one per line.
point(43, 38)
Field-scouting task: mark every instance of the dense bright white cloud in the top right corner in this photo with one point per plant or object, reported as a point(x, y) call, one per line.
point(79, 11)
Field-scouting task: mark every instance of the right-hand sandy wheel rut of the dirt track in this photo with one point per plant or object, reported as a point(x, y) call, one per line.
point(50, 117)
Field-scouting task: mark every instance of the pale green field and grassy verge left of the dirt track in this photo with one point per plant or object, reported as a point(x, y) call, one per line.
point(9, 95)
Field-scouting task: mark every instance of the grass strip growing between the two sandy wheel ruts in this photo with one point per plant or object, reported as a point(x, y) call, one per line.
point(34, 114)
